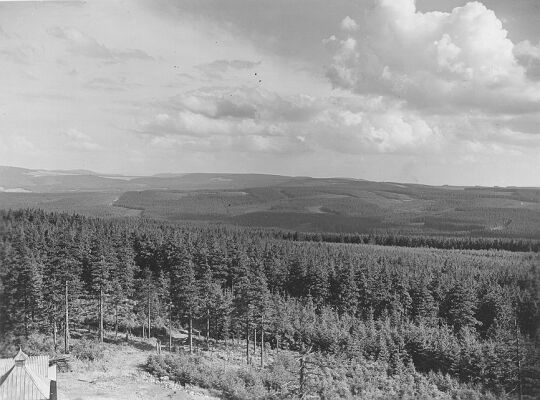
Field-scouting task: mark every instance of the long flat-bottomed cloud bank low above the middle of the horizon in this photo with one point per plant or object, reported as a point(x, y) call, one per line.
point(248, 119)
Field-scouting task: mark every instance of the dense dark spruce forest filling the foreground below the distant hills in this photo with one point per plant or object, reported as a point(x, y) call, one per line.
point(468, 315)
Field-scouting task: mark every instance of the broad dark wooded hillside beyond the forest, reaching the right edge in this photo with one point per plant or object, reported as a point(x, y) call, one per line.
point(337, 205)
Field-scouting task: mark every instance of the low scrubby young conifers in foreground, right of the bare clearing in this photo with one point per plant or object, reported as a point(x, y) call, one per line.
point(325, 378)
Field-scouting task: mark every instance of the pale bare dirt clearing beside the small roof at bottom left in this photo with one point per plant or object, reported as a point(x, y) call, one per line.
point(121, 377)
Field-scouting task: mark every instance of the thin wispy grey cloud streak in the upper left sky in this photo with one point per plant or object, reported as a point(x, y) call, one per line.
point(82, 44)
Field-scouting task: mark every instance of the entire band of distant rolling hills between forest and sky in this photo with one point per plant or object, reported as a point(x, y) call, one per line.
point(293, 203)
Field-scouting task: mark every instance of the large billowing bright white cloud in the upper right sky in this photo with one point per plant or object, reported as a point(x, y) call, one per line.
point(454, 60)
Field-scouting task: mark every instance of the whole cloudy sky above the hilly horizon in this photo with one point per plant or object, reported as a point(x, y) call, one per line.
point(427, 91)
